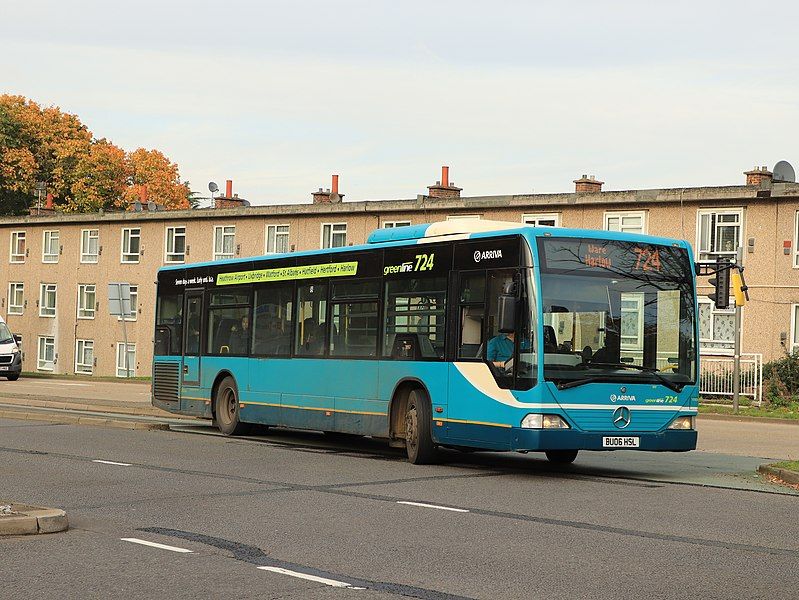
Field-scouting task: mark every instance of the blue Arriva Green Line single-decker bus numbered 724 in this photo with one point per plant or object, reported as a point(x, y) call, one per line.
point(465, 334)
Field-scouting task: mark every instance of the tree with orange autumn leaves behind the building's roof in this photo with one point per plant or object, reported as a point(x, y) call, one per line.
point(81, 172)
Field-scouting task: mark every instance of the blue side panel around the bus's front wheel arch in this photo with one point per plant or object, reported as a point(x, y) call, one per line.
point(432, 375)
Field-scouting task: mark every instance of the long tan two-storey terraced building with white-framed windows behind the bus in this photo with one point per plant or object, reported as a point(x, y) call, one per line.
point(56, 267)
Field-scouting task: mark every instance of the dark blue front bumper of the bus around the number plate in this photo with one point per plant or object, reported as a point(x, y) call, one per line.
point(559, 439)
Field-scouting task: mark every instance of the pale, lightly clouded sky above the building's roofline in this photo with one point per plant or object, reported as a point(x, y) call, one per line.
point(514, 96)
